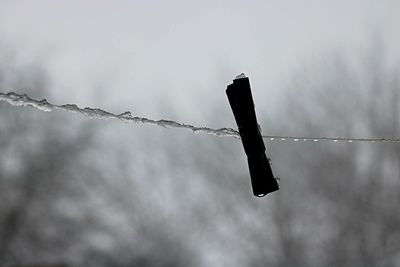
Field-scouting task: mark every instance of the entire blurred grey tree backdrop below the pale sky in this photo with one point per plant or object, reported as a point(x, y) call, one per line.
point(75, 192)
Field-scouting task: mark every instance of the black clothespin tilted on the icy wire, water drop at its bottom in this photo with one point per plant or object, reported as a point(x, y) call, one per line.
point(241, 101)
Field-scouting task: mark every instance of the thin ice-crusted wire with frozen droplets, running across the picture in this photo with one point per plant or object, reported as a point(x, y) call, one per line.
point(96, 113)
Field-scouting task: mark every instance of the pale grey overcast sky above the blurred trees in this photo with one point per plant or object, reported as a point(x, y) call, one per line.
point(126, 54)
